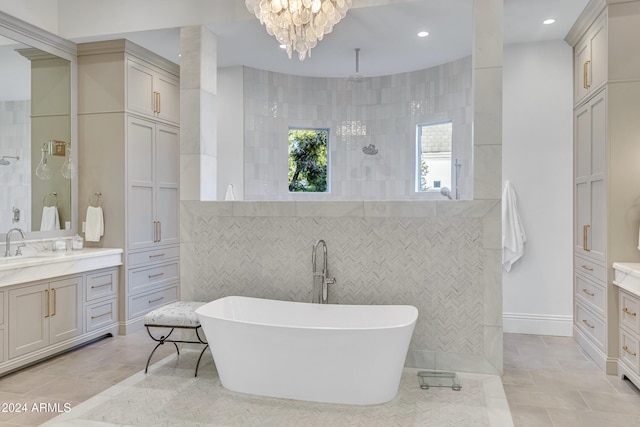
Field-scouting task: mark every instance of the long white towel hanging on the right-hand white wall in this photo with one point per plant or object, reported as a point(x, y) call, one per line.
point(513, 235)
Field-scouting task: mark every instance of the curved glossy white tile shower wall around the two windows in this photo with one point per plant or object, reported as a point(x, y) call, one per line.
point(380, 110)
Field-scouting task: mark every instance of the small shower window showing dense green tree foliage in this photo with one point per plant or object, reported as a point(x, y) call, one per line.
point(308, 160)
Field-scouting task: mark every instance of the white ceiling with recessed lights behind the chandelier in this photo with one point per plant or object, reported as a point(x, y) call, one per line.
point(386, 35)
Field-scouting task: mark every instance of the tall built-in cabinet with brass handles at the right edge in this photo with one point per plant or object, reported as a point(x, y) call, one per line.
point(606, 168)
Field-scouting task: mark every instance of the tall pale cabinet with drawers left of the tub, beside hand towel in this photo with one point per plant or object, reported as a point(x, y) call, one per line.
point(128, 129)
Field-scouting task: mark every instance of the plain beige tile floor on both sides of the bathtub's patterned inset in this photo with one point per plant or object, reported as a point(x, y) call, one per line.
point(548, 381)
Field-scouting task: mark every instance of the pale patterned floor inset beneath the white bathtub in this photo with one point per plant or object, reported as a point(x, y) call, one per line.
point(169, 395)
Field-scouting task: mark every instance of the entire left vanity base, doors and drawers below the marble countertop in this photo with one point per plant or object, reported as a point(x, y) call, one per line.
point(42, 318)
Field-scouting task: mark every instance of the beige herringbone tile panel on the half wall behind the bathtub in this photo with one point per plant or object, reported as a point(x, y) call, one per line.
point(435, 264)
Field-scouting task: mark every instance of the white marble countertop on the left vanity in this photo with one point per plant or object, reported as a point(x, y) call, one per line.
point(45, 265)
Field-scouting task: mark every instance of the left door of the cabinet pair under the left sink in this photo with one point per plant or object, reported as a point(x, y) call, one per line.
point(29, 314)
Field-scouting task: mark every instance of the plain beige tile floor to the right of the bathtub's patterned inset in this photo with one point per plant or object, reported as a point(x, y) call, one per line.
point(549, 381)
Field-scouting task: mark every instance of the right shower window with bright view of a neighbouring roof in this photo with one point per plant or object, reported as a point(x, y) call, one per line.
point(433, 169)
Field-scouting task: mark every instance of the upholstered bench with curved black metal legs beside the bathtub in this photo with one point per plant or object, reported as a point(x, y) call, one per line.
point(177, 315)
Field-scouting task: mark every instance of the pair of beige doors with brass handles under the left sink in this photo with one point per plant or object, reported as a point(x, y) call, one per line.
point(43, 314)
